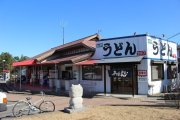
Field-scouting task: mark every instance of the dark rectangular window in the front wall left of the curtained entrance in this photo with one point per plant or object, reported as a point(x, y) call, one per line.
point(91, 72)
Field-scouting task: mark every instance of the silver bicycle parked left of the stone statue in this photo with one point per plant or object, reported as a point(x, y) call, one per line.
point(24, 107)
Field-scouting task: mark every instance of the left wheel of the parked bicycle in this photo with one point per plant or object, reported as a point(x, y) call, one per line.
point(21, 108)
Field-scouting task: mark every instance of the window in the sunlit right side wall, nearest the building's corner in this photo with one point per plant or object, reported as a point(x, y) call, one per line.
point(157, 72)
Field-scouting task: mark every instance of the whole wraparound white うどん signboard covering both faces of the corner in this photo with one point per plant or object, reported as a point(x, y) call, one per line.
point(147, 46)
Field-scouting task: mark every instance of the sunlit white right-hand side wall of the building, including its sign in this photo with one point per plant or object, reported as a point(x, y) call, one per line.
point(161, 45)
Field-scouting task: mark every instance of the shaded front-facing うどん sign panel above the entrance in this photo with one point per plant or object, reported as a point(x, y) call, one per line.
point(121, 47)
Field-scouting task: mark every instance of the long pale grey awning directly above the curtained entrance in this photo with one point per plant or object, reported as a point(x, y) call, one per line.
point(136, 59)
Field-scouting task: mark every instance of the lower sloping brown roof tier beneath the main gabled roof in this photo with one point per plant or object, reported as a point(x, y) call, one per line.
point(73, 59)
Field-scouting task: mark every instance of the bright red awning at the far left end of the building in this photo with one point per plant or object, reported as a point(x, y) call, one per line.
point(24, 63)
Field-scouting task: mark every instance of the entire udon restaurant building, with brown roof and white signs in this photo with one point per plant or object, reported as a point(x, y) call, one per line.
point(138, 64)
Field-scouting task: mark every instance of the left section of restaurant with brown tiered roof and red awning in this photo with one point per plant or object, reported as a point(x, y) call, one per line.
point(55, 67)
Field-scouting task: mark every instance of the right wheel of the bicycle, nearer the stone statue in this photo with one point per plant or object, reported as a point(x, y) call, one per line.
point(47, 106)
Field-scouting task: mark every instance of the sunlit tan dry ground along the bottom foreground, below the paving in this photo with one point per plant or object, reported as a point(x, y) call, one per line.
point(112, 113)
